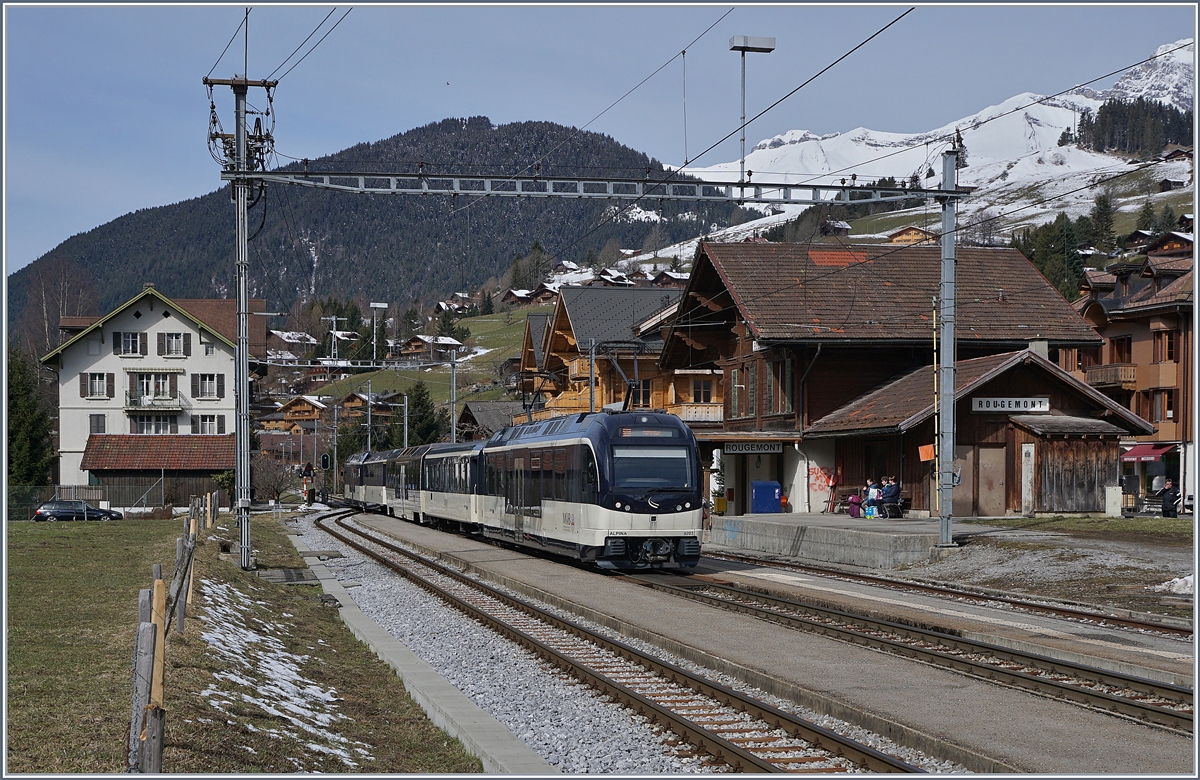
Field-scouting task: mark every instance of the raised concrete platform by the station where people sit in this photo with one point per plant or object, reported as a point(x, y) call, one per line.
point(835, 539)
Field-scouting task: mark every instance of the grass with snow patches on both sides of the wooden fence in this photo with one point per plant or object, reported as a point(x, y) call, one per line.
point(73, 617)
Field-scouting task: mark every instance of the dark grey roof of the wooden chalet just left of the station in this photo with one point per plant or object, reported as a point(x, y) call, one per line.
point(609, 314)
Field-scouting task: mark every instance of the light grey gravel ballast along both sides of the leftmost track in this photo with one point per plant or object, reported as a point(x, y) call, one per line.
point(571, 725)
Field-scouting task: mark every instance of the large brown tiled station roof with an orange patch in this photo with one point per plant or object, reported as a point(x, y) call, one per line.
point(799, 292)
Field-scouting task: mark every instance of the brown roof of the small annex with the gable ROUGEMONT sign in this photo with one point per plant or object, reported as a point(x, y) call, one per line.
point(905, 403)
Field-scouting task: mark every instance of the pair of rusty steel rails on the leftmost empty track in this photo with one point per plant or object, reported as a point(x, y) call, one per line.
point(729, 753)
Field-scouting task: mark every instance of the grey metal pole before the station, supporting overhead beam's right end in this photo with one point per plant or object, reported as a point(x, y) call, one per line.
point(947, 353)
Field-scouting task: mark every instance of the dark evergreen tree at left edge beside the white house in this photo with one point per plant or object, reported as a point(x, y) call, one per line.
point(31, 453)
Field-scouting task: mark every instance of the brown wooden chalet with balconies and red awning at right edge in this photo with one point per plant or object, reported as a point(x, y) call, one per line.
point(1147, 363)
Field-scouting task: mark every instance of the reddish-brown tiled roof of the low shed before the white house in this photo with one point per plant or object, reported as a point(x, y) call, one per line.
point(175, 453)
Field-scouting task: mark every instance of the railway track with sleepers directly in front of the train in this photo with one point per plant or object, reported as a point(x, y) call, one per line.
point(1143, 700)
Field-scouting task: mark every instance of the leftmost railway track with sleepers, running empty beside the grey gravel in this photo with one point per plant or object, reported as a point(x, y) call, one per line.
point(736, 730)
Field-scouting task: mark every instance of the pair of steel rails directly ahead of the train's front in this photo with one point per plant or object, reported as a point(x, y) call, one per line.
point(1100, 700)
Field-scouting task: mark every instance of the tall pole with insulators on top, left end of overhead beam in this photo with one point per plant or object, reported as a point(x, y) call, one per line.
point(241, 161)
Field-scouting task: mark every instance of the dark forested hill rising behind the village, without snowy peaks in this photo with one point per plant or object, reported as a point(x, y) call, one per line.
point(314, 244)
